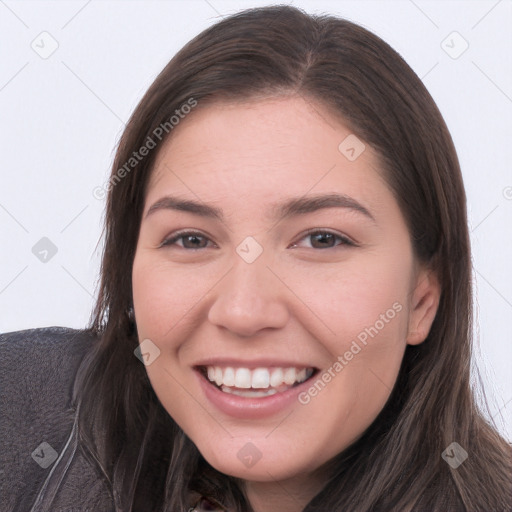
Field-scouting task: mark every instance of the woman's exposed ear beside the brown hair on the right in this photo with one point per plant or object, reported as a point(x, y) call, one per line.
point(423, 306)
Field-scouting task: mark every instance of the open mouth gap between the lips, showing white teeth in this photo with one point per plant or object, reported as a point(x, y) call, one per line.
point(256, 383)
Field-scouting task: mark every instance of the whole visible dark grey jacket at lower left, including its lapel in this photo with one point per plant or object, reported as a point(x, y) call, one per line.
point(42, 468)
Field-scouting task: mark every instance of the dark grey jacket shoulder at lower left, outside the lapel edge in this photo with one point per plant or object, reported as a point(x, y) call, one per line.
point(37, 373)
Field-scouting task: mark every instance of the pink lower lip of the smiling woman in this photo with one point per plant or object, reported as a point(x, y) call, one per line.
point(250, 408)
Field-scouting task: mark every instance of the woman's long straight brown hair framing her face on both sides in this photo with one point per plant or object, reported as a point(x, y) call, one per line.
point(397, 463)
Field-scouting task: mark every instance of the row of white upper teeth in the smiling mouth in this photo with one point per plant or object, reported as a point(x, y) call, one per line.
point(259, 378)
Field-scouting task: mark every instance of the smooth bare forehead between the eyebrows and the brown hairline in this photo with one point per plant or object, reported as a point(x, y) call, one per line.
point(263, 149)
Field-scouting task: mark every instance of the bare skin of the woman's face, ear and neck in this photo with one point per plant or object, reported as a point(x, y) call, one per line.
point(294, 299)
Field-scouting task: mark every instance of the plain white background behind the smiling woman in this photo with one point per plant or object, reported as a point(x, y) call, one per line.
point(62, 114)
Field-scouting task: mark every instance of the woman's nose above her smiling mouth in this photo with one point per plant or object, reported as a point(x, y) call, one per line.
point(249, 299)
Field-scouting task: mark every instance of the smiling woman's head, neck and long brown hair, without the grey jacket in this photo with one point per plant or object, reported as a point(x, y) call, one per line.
point(287, 256)
